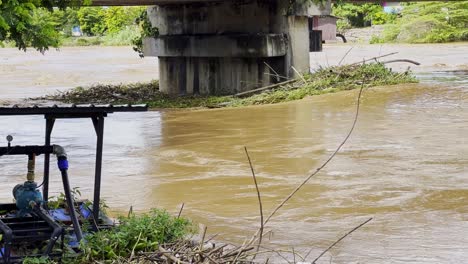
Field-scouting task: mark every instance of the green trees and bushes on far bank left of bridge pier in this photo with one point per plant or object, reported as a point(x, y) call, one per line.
point(41, 25)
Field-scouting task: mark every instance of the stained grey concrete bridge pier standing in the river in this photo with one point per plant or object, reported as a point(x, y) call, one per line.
point(225, 47)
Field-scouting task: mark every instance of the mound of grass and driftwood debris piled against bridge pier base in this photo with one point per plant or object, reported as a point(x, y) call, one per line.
point(324, 80)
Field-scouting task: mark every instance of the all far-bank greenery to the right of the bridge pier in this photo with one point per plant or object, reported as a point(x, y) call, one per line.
point(425, 22)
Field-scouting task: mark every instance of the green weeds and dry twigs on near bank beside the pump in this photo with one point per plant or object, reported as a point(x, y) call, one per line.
point(153, 237)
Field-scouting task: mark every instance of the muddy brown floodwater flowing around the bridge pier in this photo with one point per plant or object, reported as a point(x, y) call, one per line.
point(406, 164)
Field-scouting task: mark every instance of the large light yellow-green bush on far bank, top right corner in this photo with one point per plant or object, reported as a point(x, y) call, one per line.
point(429, 22)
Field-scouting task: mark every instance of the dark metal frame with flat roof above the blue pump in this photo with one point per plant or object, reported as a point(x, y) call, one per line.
point(96, 113)
